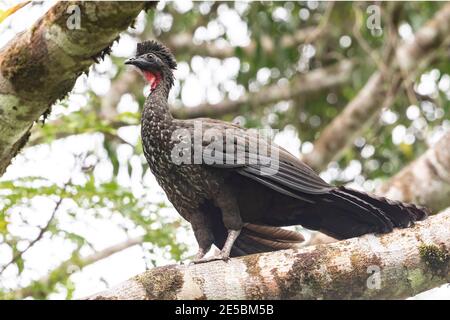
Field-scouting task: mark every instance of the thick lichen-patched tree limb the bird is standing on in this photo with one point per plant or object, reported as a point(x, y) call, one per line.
point(406, 262)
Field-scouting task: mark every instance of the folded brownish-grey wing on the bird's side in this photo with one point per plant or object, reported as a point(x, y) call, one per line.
point(266, 163)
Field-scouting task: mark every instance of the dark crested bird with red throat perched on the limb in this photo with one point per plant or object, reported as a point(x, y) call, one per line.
point(236, 187)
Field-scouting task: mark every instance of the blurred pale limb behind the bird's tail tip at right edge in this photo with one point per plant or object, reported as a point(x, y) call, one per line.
point(426, 181)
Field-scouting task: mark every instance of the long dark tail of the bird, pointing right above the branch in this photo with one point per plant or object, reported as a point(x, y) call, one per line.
point(400, 215)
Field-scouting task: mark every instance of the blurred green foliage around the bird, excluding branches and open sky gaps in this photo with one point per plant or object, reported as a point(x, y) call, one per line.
point(378, 153)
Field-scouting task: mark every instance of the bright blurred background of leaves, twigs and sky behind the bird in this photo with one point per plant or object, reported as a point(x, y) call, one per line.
point(79, 209)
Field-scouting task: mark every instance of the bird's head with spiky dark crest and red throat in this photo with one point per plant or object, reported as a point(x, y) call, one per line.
point(155, 62)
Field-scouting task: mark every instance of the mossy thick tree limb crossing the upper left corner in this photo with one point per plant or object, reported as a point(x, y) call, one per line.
point(41, 65)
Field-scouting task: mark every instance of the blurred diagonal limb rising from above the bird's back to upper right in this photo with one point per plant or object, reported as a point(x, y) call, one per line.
point(380, 90)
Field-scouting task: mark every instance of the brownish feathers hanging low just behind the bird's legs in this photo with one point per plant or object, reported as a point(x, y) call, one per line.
point(259, 238)
